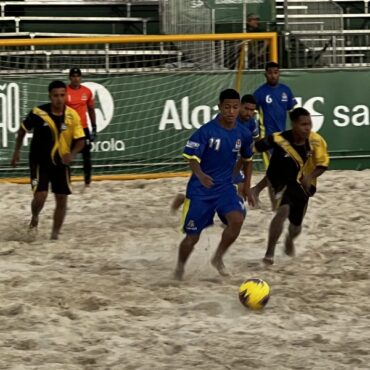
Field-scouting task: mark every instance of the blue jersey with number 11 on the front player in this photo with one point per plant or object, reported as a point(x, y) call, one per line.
point(216, 149)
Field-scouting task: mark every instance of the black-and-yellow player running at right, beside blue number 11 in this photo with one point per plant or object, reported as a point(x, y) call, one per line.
point(299, 157)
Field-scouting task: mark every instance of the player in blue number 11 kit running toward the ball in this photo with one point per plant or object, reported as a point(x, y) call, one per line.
point(212, 152)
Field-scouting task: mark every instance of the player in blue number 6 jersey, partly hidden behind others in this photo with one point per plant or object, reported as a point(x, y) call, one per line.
point(274, 101)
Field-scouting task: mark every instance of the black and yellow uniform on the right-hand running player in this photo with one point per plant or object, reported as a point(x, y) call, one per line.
point(289, 164)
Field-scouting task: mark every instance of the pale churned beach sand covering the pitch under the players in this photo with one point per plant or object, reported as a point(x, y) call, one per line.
point(103, 296)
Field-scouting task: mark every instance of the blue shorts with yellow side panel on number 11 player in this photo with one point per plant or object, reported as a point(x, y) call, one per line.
point(199, 213)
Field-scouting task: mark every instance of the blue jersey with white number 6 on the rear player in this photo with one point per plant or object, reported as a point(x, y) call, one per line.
point(273, 103)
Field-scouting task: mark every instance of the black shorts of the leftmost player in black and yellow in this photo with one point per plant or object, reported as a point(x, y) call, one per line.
point(58, 175)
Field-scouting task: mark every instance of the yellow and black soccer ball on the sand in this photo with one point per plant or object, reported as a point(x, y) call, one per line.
point(254, 294)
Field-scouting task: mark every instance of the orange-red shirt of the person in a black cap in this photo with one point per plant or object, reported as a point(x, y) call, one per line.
point(80, 99)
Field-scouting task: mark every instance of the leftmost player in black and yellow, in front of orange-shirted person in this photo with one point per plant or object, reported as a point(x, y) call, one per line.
point(57, 138)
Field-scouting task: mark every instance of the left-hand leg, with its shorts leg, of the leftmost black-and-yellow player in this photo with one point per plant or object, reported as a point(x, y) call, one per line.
point(40, 184)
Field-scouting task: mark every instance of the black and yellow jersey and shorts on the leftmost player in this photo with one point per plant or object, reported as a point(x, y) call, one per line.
point(52, 138)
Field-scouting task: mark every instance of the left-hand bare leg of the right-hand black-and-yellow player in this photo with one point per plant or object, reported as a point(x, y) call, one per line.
point(275, 230)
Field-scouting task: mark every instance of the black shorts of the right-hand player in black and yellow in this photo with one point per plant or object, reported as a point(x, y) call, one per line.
point(297, 200)
